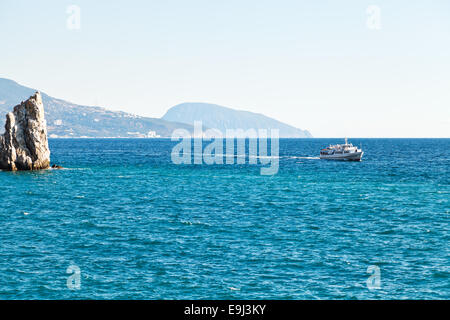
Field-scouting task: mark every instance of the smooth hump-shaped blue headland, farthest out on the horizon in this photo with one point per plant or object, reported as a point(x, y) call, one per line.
point(222, 118)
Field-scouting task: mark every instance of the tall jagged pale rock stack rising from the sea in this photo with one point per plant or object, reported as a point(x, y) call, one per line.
point(24, 145)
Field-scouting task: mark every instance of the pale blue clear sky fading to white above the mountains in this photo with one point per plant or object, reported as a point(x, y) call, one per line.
point(336, 68)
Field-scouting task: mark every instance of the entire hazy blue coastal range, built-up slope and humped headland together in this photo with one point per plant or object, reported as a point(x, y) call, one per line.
point(70, 120)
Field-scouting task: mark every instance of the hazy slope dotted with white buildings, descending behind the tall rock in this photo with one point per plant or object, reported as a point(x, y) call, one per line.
point(66, 119)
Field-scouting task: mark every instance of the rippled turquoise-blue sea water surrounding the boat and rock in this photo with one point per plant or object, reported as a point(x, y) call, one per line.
point(139, 227)
